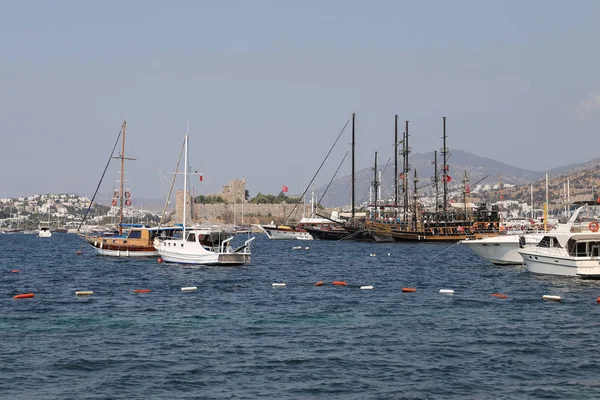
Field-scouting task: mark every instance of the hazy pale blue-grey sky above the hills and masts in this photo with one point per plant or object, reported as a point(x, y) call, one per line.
point(267, 86)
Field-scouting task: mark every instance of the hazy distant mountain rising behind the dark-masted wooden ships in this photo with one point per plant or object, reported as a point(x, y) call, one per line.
point(480, 170)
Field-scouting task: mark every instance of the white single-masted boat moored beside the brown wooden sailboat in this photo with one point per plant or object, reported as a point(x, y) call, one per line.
point(201, 245)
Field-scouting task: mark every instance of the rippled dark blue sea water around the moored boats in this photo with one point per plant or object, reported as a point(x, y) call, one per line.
point(239, 337)
